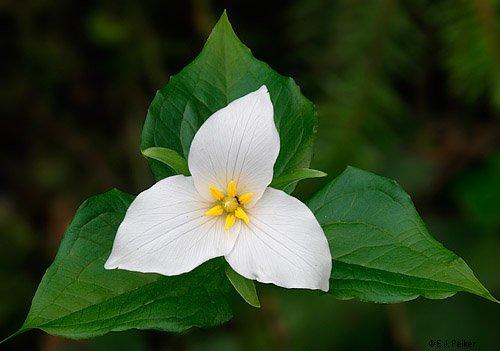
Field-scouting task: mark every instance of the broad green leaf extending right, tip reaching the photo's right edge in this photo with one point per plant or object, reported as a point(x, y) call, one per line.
point(381, 249)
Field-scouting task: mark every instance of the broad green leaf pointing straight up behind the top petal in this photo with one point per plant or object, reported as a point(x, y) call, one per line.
point(224, 71)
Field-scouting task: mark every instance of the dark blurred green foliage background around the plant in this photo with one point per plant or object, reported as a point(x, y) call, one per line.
point(408, 89)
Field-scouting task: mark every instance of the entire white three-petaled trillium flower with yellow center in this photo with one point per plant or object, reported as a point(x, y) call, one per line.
point(227, 209)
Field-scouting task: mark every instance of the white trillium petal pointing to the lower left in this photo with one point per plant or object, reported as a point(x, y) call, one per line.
point(165, 231)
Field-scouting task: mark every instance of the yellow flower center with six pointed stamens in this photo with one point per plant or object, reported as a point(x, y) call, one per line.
point(230, 204)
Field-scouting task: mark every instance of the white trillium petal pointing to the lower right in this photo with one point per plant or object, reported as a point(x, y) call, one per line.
point(283, 244)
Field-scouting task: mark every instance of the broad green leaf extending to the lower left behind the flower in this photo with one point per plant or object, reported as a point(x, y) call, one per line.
point(78, 298)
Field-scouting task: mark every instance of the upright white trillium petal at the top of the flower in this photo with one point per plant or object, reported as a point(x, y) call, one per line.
point(239, 142)
